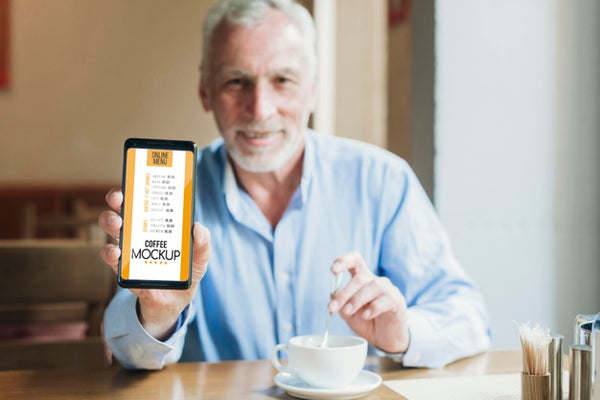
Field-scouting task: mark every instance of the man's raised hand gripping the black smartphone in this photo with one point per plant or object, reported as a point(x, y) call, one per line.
point(158, 309)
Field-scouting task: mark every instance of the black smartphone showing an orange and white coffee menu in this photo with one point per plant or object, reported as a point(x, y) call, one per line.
point(158, 210)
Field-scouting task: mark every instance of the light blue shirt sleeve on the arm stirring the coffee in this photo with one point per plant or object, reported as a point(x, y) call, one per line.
point(447, 318)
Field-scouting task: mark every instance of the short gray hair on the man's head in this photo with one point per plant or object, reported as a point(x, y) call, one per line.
point(249, 12)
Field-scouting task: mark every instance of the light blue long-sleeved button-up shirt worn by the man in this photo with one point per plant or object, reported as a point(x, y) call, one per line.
point(264, 286)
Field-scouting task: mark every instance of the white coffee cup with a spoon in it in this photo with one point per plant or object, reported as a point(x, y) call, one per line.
point(334, 366)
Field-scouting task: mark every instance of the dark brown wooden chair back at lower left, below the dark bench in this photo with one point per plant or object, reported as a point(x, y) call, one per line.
point(52, 297)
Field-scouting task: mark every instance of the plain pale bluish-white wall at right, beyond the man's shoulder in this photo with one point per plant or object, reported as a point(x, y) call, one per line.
point(505, 133)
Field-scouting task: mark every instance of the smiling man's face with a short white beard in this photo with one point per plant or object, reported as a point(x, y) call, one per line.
point(261, 91)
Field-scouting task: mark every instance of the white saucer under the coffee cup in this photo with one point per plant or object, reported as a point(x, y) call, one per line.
point(363, 384)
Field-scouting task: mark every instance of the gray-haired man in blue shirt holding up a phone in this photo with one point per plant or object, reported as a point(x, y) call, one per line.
point(279, 208)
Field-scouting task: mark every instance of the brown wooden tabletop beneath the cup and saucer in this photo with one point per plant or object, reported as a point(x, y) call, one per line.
point(224, 380)
